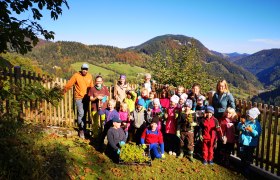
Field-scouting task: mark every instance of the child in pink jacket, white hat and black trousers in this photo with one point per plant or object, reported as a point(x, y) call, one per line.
point(171, 140)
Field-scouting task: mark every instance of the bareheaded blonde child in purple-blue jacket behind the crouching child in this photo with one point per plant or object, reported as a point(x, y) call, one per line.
point(110, 113)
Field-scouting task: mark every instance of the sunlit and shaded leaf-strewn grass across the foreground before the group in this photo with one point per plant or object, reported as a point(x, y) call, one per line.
point(28, 153)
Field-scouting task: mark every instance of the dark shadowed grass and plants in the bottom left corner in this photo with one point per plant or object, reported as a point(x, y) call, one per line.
point(21, 157)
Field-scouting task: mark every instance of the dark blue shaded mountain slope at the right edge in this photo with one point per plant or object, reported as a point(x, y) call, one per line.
point(265, 65)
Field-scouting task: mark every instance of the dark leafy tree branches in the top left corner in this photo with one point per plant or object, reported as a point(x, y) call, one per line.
point(21, 35)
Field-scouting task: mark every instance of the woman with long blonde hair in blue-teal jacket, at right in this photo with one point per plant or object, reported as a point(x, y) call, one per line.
point(222, 99)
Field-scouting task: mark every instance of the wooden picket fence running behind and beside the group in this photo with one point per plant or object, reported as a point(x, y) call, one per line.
point(267, 155)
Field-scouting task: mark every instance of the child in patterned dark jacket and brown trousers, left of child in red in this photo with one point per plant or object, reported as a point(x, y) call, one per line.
point(185, 130)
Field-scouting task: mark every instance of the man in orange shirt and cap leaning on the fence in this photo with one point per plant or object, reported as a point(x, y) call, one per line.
point(82, 82)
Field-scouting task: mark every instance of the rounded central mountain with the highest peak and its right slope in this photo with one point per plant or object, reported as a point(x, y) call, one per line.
point(214, 65)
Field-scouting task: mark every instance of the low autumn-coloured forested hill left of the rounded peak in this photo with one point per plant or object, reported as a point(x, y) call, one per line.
point(57, 57)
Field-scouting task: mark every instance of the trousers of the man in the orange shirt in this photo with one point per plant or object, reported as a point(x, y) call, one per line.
point(82, 108)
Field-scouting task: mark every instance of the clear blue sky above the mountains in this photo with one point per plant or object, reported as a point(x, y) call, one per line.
point(244, 26)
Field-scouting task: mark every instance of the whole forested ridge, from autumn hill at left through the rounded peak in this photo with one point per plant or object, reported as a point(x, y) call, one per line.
point(57, 57)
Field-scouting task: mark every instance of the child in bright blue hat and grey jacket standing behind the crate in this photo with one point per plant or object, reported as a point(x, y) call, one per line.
point(138, 121)
